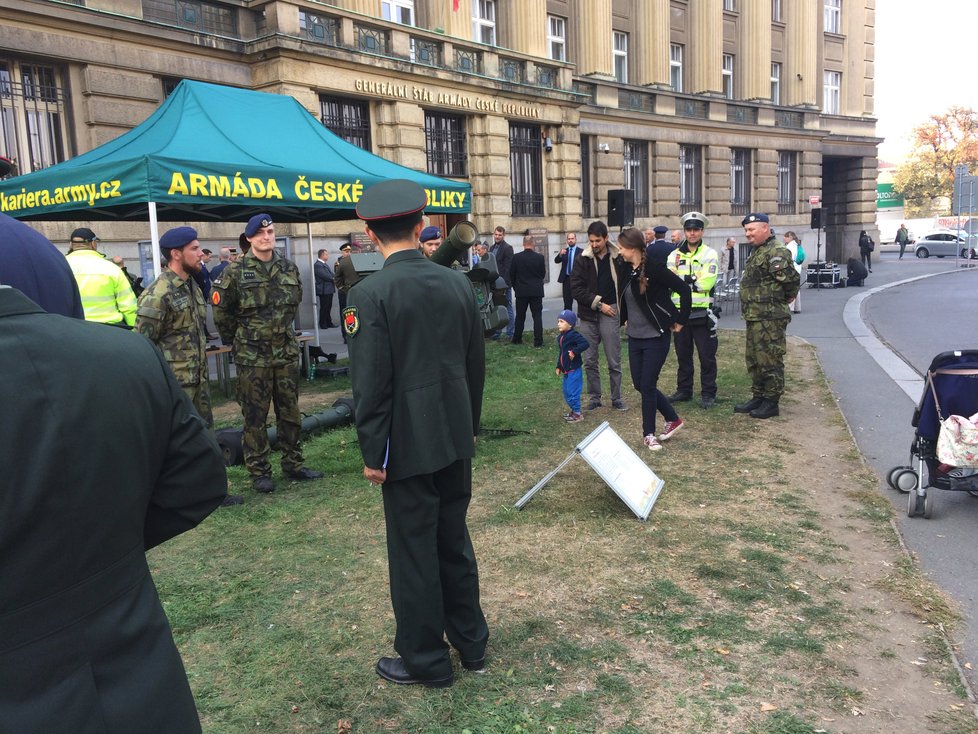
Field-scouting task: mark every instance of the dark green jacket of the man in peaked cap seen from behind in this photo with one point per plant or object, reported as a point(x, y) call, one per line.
point(416, 383)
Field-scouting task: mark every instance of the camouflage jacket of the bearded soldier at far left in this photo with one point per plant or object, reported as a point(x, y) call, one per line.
point(172, 314)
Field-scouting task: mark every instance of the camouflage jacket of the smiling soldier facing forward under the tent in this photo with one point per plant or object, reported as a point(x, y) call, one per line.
point(255, 304)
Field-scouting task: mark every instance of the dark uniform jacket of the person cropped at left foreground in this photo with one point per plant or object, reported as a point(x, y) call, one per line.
point(102, 457)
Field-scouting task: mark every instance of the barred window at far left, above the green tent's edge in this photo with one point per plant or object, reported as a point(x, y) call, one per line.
point(33, 128)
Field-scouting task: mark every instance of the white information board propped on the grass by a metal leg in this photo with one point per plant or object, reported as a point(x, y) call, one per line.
point(614, 461)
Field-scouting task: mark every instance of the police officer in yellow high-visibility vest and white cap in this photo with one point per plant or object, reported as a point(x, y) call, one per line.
point(698, 265)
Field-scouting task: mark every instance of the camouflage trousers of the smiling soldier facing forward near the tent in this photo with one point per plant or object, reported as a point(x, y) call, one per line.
point(258, 387)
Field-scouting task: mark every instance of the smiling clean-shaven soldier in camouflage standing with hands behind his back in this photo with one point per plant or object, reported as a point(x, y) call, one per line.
point(255, 302)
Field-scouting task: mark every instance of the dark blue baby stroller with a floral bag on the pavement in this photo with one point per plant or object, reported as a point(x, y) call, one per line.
point(950, 388)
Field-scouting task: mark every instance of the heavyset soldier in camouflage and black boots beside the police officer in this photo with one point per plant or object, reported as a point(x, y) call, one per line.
point(769, 282)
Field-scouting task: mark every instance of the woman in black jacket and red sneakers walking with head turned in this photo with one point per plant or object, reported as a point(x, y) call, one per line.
point(645, 293)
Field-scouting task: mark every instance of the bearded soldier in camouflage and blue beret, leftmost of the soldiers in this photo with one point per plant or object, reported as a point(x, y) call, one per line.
point(172, 314)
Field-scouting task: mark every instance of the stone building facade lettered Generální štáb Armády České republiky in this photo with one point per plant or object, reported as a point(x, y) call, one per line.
point(544, 106)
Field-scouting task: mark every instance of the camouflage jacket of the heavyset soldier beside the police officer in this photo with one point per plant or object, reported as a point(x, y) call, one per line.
point(768, 283)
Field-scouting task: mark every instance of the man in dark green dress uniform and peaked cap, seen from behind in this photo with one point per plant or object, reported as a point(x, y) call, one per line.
point(417, 390)
